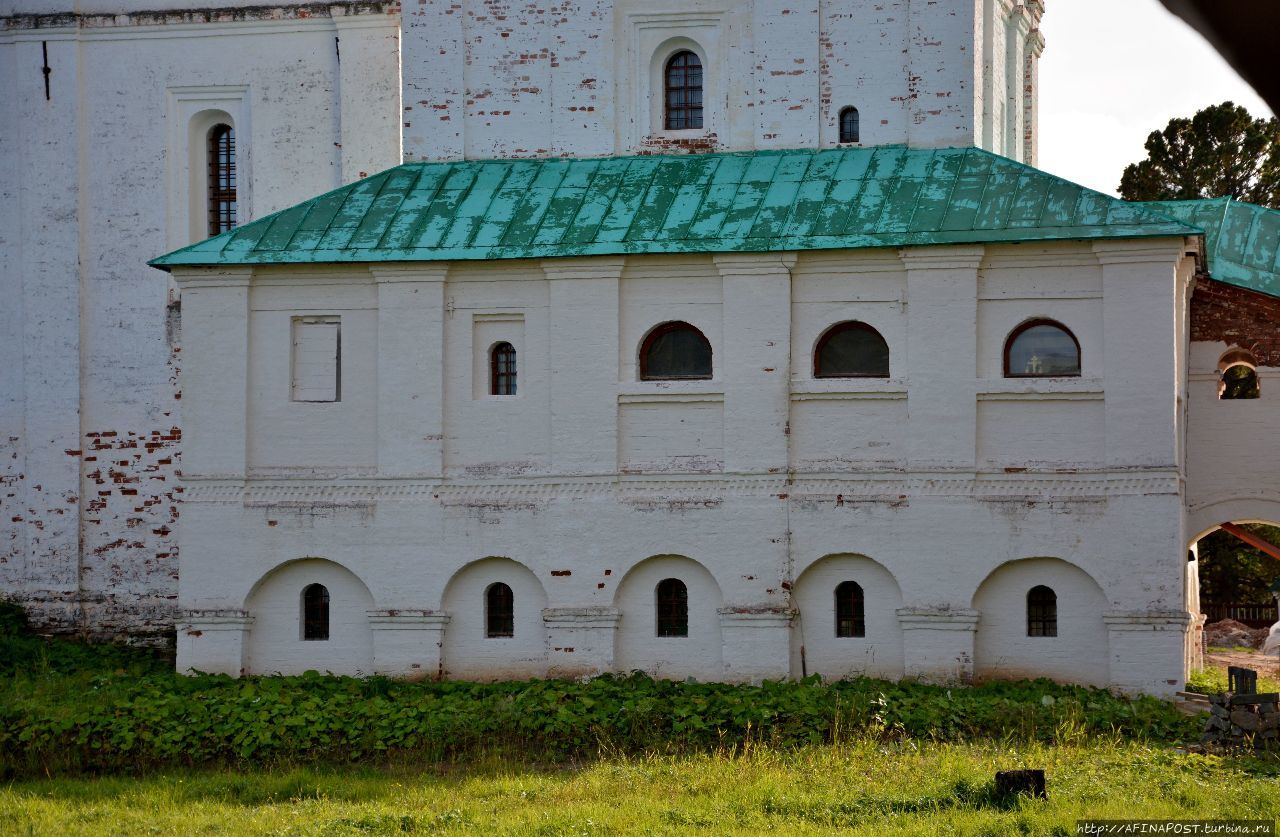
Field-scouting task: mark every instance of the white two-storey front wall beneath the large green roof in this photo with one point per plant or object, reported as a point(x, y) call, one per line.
point(762, 497)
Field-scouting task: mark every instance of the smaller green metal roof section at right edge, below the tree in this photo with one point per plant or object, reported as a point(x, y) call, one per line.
point(1242, 241)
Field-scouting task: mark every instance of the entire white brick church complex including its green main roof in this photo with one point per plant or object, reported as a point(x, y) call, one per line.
point(346, 417)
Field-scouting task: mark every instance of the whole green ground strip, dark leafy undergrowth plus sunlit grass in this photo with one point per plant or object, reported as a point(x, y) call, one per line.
point(109, 740)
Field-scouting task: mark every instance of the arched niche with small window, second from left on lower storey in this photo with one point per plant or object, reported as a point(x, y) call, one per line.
point(470, 652)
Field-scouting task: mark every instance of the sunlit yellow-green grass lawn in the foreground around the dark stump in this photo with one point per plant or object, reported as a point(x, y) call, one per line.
point(861, 788)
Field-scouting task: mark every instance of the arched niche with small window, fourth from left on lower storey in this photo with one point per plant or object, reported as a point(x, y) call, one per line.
point(876, 655)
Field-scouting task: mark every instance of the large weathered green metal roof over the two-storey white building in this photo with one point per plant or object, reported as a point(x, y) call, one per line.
point(888, 196)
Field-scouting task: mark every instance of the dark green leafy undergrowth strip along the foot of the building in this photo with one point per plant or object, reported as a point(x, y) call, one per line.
point(70, 708)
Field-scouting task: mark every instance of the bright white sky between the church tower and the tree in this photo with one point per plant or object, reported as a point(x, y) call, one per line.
point(1113, 72)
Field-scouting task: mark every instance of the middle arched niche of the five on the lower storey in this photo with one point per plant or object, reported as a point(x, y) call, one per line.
point(637, 643)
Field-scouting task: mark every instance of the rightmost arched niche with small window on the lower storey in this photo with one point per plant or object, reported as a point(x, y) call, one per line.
point(1003, 647)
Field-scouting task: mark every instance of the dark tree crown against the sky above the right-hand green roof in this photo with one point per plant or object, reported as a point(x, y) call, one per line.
point(1220, 152)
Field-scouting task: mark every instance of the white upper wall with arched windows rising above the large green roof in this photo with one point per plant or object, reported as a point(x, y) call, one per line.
point(584, 79)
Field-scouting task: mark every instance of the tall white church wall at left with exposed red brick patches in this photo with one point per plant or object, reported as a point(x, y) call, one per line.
point(98, 175)
